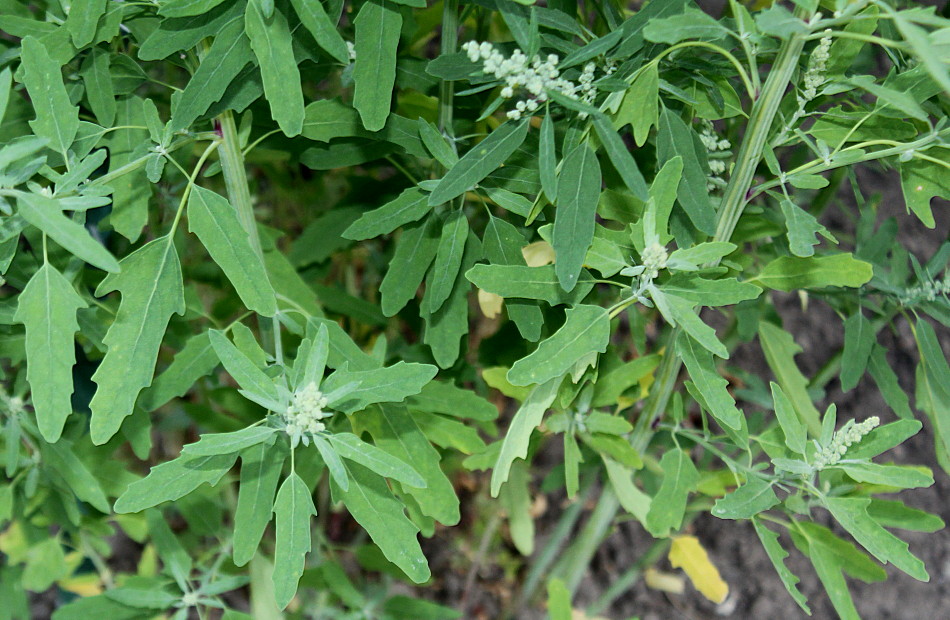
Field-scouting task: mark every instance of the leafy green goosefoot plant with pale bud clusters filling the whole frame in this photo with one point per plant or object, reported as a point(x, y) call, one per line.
point(602, 175)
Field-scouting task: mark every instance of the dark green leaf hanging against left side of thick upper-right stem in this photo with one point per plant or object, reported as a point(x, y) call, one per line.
point(675, 139)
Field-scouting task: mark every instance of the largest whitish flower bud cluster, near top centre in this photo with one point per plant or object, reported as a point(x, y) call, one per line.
point(536, 76)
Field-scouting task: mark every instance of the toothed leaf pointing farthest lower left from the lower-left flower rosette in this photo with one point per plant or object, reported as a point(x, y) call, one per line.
point(173, 480)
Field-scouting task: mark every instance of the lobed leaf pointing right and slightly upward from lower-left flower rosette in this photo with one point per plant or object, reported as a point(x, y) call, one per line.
point(382, 385)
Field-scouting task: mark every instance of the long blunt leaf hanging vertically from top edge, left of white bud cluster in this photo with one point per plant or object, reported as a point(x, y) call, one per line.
point(378, 25)
